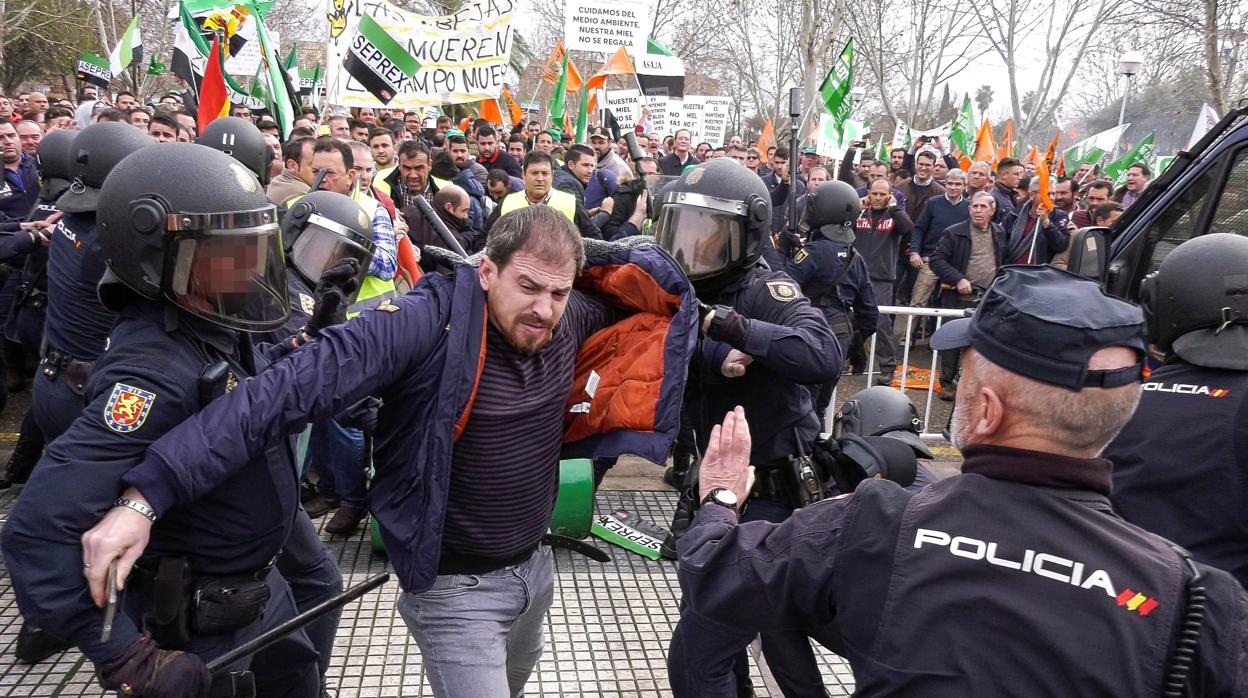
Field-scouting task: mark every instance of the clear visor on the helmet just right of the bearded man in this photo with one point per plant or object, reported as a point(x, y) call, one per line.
point(703, 242)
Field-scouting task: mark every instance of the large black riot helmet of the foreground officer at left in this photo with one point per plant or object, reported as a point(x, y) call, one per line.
point(190, 225)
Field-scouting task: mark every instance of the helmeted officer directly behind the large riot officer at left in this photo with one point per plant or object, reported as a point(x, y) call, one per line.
point(77, 325)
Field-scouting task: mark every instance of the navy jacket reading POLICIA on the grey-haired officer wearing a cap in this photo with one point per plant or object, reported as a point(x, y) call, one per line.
point(1015, 579)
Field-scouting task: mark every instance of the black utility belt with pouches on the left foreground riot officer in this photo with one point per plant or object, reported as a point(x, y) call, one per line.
point(182, 605)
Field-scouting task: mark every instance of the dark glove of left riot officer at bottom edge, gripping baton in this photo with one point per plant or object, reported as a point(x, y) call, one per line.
point(153, 672)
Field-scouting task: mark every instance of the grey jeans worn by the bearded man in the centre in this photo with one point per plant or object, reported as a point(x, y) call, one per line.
point(481, 635)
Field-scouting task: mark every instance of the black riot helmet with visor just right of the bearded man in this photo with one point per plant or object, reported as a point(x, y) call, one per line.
point(714, 220)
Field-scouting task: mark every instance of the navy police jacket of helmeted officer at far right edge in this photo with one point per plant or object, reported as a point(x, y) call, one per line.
point(1181, 464)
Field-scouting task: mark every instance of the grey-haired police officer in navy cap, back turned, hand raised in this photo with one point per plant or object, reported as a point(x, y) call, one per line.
point(1014, 579)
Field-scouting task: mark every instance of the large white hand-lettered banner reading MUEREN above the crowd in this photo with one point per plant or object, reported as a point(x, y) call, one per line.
point(464, 57)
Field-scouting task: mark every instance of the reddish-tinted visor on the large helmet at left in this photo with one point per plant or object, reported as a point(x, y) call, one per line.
point(229, 269)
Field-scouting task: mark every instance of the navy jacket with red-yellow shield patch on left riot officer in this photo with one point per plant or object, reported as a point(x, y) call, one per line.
point(142, 388)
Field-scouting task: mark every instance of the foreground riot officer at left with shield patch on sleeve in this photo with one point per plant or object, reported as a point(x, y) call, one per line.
point(194, 257)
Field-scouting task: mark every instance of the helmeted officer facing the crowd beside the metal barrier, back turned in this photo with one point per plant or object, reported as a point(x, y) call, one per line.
point(833, 275)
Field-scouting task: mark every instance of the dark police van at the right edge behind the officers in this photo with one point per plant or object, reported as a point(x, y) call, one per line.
point(1205, 190)
